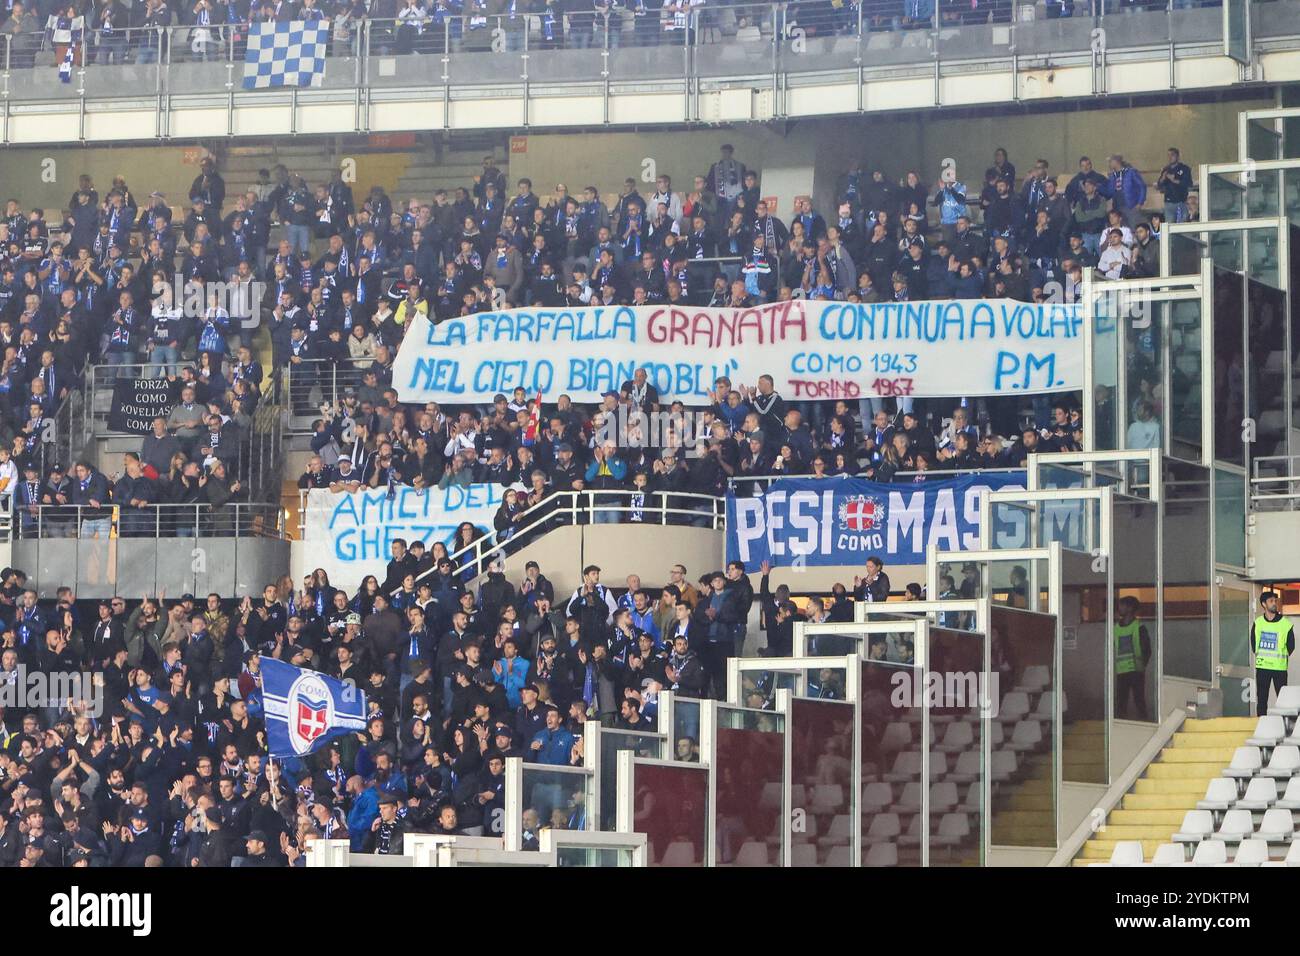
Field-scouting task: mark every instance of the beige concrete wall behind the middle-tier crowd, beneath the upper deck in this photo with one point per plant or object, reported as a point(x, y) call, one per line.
point(795, 158)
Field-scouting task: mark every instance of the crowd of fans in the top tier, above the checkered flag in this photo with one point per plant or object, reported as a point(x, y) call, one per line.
point(110, 32)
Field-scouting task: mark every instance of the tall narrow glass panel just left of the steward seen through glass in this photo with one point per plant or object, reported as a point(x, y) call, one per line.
point(1085, 587)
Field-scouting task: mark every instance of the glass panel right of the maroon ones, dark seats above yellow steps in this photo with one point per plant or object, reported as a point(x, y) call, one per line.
point(1022, 769)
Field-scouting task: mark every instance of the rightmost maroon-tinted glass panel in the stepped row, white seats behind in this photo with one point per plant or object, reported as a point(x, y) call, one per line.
point(960, 697)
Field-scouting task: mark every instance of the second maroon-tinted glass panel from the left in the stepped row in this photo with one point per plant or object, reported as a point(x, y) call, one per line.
point(751, 763)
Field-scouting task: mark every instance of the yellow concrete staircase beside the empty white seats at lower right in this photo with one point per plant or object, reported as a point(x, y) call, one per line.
point(1154, 810)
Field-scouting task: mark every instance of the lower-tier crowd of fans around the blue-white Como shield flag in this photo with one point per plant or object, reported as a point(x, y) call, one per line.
point(167, 762)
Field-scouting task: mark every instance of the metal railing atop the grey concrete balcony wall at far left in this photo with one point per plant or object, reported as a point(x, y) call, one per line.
point(235, 520)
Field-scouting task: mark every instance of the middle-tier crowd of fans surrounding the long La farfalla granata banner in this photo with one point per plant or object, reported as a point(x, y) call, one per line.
point(99, 287)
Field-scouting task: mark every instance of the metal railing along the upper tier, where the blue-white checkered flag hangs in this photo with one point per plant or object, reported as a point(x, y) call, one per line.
point(769, 41)
